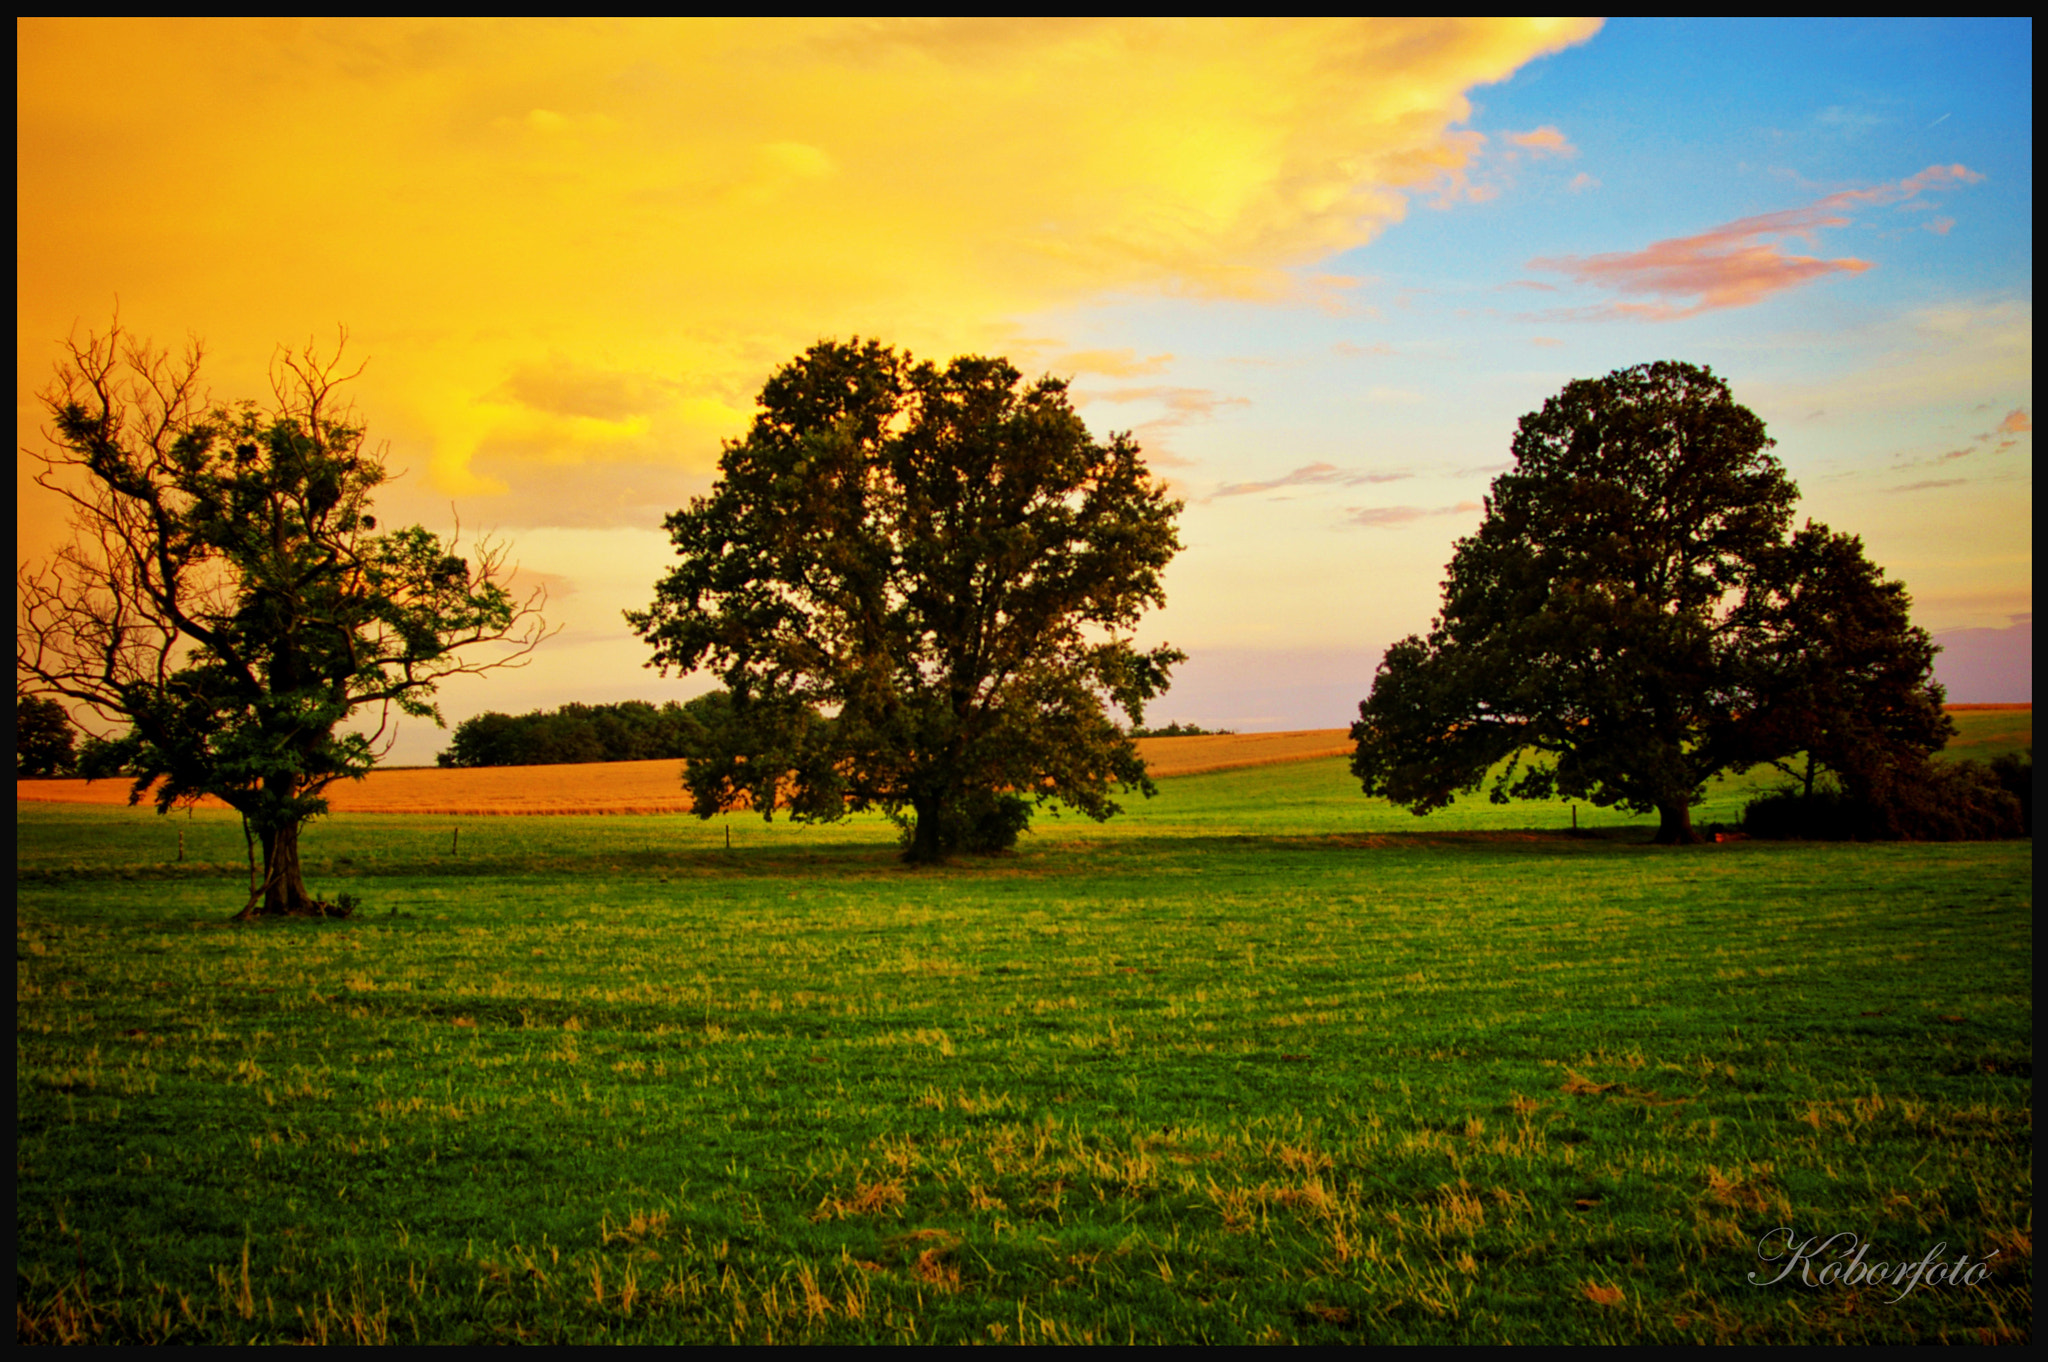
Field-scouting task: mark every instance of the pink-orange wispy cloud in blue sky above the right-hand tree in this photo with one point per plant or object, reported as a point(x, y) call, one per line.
point(1738, 263)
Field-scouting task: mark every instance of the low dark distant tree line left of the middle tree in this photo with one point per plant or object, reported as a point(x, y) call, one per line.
point(626, 732)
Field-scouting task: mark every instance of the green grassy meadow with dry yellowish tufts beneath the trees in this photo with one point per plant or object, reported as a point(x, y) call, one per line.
point(1258, 1062)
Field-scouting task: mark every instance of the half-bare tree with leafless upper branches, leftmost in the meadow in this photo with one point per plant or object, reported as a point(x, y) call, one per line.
point(230, 599)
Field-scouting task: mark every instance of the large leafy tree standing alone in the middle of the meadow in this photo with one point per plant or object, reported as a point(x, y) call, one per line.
point(919, 589)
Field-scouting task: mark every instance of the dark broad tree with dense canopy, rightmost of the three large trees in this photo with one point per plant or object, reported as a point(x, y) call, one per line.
point(1631, 620)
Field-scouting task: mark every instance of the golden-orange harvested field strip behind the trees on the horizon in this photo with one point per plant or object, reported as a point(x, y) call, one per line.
point(656, 788)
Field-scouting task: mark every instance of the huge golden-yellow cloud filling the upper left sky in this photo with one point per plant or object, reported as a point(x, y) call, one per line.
point(507, 212)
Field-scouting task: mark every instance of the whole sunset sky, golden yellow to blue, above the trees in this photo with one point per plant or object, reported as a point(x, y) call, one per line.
point(1320, 269)
